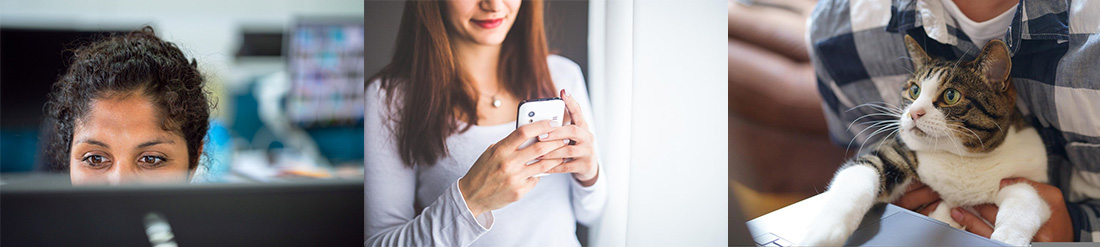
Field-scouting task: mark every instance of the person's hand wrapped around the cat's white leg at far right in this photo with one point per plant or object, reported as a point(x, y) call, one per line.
point(1059, 229)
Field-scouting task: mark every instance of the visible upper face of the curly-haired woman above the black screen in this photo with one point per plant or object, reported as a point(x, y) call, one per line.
point(120, 141)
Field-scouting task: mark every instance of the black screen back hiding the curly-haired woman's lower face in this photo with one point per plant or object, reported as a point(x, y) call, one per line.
point(45, 210)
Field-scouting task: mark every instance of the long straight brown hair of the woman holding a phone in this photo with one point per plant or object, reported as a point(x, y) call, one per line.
point(435, 93)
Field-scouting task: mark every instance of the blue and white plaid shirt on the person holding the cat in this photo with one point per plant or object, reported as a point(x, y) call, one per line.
point(860, 58)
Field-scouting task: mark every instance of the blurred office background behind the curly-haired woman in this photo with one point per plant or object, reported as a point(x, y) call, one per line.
point(288, 76)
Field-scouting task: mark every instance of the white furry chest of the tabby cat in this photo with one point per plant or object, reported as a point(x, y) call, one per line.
point(976, 181)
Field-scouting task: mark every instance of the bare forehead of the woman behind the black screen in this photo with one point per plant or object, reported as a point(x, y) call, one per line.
point(124, 119)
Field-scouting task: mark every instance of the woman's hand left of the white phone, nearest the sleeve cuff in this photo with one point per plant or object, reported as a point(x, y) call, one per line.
point(501, 176)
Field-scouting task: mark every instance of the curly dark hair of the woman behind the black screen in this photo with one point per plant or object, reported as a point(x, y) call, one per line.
point(136, 62)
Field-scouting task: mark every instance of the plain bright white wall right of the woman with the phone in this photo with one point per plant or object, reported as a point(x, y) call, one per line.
point(680, 125)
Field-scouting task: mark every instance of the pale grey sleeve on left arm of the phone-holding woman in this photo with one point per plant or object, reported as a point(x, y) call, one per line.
point(390, 193)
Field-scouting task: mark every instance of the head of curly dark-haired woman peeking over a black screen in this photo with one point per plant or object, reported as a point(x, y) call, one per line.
point(131, 108)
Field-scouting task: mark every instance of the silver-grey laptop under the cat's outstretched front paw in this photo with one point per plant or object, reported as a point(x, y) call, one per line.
point(884, 226)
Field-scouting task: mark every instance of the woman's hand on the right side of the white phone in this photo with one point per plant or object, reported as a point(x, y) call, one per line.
point(580, 156)
